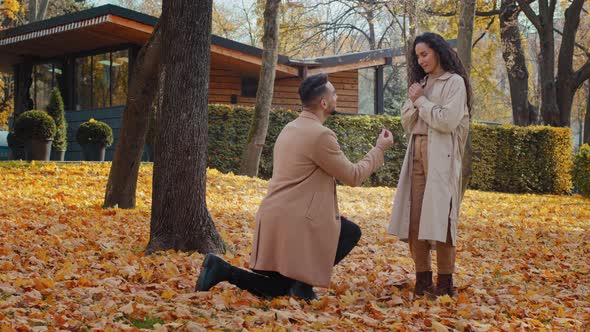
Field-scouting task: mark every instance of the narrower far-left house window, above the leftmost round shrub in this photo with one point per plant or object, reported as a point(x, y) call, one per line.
point(46, 76)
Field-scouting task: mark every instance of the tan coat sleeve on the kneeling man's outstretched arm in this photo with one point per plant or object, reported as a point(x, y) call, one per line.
point(329, 157)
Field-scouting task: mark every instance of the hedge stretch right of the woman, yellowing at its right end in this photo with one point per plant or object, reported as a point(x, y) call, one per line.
point(521, 159)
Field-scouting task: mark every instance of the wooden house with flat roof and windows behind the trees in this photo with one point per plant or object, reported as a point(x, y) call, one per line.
point(87, 55)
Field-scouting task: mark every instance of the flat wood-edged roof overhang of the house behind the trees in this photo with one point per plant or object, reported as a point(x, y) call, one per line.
point(110, 26)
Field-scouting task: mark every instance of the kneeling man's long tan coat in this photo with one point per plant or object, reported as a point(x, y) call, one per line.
point(298, 224)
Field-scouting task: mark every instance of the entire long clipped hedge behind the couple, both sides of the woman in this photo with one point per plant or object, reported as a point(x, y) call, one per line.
point(505, 159)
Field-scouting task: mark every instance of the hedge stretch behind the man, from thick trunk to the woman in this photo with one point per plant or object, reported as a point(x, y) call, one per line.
point(228, 130)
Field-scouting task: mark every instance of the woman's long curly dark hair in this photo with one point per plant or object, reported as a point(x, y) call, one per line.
point(447, 57)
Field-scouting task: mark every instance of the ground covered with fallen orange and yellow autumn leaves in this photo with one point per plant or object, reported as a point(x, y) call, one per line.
point(66, 264)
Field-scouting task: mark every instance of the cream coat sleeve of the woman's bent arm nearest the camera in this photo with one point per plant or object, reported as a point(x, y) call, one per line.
point(446, 117)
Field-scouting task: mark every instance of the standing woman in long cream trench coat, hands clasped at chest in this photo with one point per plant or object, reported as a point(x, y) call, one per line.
point(436, 118)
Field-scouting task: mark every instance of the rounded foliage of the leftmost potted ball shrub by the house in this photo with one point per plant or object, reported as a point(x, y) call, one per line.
point(34, 125)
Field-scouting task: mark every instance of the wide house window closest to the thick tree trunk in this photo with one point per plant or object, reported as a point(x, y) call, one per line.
point(101, 80)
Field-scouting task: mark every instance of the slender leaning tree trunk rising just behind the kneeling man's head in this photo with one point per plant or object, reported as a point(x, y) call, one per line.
point(259, 127)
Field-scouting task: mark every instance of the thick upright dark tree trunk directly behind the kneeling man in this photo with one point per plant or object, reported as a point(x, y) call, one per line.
point(180, 218)
